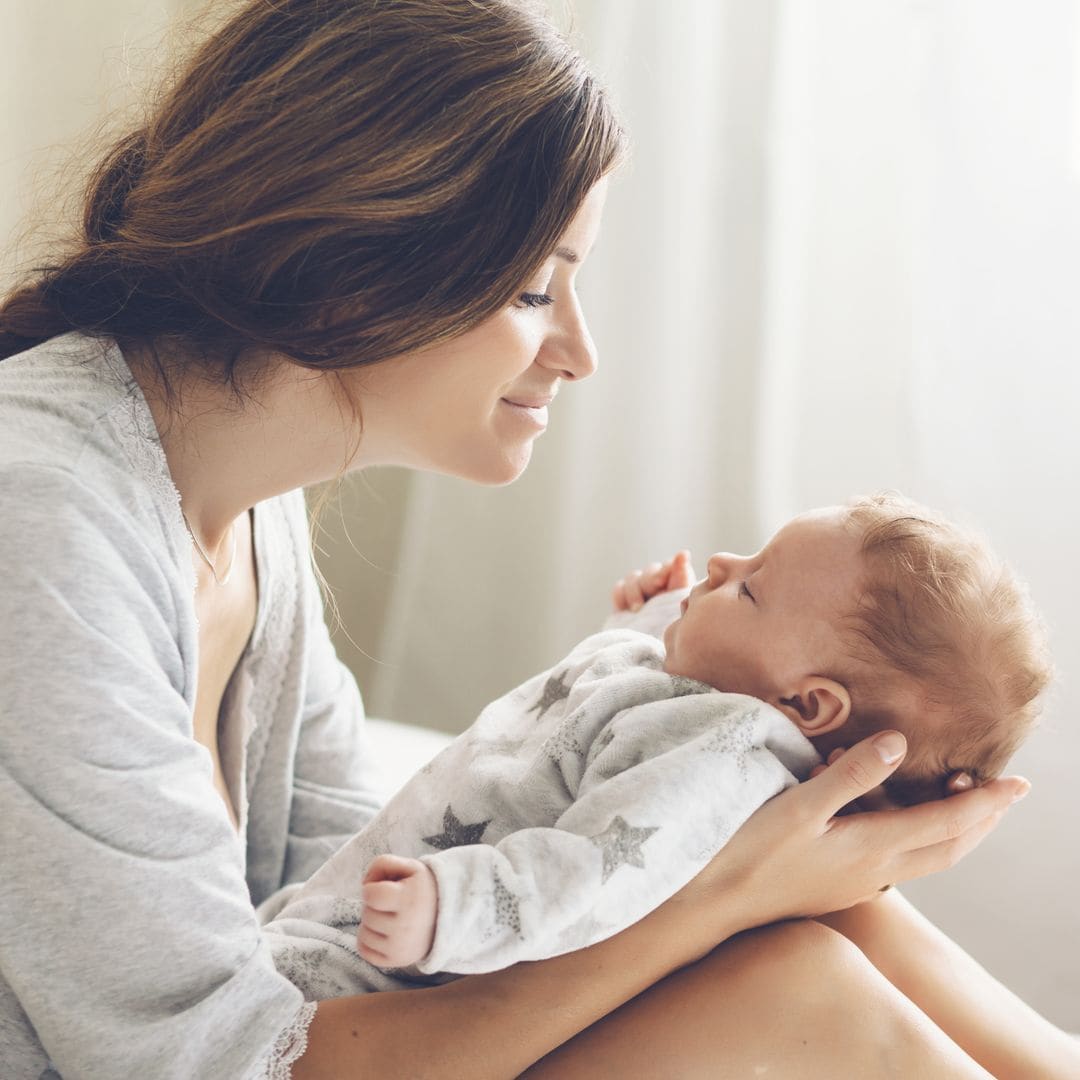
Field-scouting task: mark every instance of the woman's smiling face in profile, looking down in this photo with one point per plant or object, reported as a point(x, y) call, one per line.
point(471, 408)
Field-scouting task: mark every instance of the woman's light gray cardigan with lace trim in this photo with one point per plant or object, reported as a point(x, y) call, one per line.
point(130, 946)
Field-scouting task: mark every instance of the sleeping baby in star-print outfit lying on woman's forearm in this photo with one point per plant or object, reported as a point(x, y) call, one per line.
point(588, 796)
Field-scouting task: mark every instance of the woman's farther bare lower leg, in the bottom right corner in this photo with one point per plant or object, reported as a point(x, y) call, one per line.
point(991, 1023)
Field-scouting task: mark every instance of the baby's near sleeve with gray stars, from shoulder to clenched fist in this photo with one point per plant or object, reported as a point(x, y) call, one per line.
point(666, 785)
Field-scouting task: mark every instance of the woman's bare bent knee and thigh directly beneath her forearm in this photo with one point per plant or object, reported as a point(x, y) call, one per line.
point(794, 1001)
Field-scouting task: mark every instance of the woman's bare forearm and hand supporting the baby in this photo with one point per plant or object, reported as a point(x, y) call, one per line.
point(793, 858)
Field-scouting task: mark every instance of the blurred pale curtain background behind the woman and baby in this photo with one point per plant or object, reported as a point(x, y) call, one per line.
point(844, 256)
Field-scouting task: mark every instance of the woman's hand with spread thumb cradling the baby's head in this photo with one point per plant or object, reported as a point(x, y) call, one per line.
point(795, 857)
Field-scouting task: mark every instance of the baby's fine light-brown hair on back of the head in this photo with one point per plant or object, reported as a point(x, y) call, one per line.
point(943, 632)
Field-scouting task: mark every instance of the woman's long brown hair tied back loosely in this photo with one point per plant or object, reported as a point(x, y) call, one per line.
point(334, 181)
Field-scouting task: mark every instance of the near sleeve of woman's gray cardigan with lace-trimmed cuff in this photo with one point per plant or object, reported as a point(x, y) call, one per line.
point(127, 931)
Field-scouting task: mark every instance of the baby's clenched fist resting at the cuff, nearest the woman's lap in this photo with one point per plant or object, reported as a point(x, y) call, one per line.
point(401, 902)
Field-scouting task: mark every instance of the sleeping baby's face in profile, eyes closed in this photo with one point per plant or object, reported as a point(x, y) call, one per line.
point(759, 624)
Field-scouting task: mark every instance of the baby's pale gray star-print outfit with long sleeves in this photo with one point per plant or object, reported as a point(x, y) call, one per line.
point(573, 807)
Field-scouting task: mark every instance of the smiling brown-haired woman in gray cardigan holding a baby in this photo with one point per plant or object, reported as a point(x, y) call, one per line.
point(347, 236)
